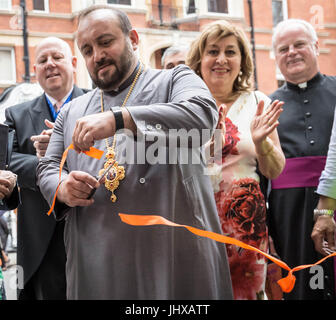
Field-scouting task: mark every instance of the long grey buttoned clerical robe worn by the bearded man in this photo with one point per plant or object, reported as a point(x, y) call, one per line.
point(107, 259)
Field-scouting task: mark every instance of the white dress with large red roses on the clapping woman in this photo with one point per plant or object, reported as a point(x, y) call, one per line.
point(240, 202)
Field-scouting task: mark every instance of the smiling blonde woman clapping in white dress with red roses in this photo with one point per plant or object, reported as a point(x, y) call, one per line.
point(248, 121)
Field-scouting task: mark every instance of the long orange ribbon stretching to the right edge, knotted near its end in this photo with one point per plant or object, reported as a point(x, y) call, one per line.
point(286, 284)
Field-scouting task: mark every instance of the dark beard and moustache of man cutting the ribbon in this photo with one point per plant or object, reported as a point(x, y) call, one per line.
point(121, 70)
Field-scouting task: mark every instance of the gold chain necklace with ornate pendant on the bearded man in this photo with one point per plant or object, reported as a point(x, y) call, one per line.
point(117, 172)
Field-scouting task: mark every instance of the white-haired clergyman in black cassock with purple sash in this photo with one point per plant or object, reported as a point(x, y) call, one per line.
point(304, 132)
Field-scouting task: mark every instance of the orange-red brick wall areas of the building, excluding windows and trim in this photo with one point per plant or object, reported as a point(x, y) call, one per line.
point(61, 22)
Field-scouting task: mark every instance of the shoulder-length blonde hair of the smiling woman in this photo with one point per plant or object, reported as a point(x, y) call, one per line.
point(217, 30)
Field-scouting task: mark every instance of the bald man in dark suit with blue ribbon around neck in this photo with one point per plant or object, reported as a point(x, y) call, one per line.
point(40, 246)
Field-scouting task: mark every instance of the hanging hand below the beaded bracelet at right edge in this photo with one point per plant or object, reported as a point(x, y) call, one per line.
point(323, 235)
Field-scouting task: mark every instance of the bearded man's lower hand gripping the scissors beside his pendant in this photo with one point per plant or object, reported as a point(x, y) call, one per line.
point(76, 188)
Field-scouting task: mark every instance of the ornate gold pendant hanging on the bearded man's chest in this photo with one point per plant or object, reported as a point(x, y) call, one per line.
point(116, 173)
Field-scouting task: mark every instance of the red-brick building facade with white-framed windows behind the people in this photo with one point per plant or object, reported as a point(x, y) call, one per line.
point(160, 24)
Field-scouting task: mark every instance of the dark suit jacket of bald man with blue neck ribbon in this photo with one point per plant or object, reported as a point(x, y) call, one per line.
point(35, 228)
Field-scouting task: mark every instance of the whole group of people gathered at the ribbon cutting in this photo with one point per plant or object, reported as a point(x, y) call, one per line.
point(268, 175)
